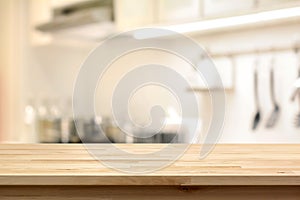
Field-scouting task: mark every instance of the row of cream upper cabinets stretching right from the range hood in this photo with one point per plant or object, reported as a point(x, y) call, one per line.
point(138, 13)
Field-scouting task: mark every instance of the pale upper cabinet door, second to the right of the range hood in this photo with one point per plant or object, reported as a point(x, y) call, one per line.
point(173, 11)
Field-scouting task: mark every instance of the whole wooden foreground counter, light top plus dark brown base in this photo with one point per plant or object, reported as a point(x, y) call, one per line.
point(56, 171)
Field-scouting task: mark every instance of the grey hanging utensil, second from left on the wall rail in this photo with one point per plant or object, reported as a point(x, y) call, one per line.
point(276, 110)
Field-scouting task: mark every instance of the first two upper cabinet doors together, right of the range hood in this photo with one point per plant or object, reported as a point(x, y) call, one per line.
point(138, 13)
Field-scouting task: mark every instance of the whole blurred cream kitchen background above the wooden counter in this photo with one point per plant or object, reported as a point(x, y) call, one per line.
point(255, 45)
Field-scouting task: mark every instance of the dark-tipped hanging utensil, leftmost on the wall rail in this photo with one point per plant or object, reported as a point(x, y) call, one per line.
point(257, 116)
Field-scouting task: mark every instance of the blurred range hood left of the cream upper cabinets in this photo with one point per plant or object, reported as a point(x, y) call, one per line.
point(91, 19)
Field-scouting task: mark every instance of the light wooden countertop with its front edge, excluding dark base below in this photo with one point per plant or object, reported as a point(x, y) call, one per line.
point(72, 164)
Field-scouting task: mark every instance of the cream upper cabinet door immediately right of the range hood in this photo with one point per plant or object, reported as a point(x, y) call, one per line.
point(133, 13)
